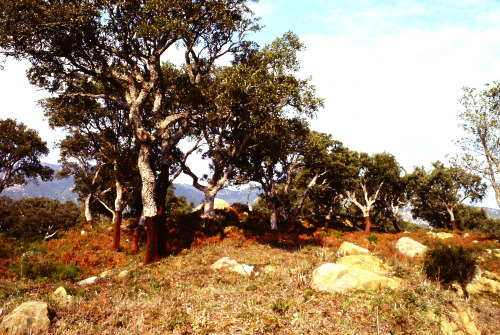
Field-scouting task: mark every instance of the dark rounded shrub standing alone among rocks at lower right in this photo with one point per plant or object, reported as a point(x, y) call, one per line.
point(448, 264)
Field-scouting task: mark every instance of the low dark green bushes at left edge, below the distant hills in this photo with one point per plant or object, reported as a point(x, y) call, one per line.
point(30, 219)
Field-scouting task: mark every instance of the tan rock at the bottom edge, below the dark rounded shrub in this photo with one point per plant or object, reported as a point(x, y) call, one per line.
point(458, 319)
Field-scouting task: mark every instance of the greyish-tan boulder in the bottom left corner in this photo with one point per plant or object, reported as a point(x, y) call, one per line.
point(29, 318)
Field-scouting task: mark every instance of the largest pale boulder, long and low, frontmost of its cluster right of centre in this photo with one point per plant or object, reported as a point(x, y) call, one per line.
point(339, 278)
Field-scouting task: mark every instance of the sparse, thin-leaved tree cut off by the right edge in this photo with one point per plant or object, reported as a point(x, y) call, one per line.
point(481, 121)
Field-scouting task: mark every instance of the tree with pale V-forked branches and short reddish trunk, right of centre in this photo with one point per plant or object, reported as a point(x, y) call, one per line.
point(374, 173)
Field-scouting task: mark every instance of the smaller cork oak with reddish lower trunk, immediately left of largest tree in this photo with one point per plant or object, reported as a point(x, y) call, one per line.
point(98, 151)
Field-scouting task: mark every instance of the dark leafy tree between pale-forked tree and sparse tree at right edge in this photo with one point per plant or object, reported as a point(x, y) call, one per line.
point(438, 193)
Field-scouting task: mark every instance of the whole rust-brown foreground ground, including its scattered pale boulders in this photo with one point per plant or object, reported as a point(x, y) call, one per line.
point(239, 281)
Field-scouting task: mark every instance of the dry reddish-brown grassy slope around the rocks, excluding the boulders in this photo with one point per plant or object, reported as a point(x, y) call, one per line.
point(181, 295)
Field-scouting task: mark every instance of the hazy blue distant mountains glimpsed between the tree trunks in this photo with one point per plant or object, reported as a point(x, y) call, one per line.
point(61, 189)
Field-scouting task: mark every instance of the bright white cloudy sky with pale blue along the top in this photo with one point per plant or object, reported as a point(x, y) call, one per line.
point(390, 72)
